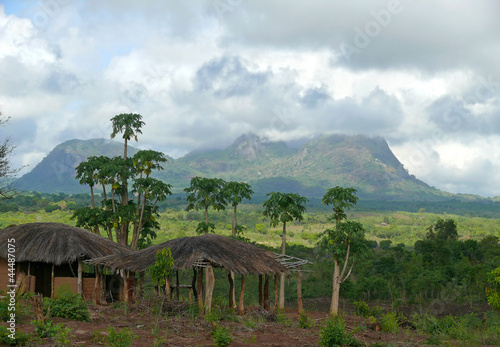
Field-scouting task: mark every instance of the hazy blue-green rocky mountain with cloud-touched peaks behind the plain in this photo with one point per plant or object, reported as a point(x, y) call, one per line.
point(366, 163)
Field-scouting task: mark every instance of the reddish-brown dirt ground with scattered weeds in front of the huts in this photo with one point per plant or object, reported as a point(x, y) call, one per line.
point(184, 331)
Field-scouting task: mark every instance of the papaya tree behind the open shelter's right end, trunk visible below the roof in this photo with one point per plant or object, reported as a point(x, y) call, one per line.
point(283, 208)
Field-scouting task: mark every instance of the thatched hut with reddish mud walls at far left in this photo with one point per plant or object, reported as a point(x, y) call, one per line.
point(49, 255)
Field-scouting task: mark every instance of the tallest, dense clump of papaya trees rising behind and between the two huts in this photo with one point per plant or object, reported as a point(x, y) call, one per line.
point(118, 213)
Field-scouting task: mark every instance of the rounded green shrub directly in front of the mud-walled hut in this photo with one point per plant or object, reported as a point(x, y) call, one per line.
point(68, 305)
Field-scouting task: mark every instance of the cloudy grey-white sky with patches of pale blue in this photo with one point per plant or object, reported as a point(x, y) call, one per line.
point(422, 74)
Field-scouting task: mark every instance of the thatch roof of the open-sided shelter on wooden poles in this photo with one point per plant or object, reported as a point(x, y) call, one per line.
point(220, 251)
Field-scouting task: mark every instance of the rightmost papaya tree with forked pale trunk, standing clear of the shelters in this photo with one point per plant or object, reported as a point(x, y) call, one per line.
point(344, 241)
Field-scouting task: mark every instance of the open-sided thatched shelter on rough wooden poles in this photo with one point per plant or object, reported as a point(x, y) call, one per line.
point(204, 252)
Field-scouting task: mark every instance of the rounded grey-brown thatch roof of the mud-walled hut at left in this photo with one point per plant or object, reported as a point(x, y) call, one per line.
point(56, 243)
